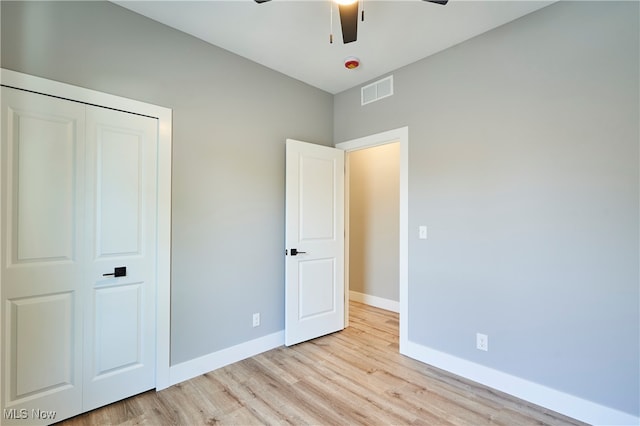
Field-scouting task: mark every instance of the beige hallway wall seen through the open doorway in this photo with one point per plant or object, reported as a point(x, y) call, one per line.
point(374, 218)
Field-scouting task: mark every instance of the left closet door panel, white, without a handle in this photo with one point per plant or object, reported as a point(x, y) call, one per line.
point(42, 256)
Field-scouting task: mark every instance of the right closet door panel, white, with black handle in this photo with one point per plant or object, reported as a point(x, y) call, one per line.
point(121, 222)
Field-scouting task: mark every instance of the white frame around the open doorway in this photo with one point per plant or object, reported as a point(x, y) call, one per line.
point(396, 135)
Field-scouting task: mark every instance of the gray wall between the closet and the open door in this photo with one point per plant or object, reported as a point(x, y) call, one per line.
point(231, 118)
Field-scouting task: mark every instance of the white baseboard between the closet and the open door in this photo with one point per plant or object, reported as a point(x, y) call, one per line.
point(195, 367)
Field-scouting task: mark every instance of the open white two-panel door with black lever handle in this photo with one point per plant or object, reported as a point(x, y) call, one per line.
point(314, 270)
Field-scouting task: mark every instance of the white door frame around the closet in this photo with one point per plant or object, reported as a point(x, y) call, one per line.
point(163, 233)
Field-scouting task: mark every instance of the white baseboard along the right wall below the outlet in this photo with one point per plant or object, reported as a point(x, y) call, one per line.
point(552, 399)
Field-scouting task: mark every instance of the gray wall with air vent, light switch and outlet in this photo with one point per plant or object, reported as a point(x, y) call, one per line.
point(523, 162)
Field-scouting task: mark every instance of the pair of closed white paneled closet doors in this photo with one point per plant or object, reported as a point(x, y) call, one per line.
point(78, 203)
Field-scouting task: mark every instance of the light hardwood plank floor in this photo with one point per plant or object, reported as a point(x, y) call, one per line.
point(352, 377)
